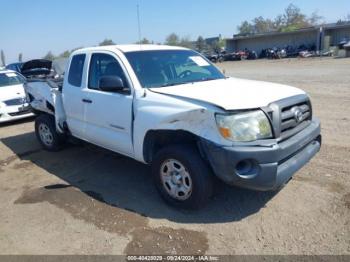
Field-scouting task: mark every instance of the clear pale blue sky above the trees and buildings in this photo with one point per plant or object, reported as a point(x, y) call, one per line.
point(34, 27)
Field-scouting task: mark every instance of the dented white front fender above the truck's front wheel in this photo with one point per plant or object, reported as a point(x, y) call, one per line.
point(162, 112)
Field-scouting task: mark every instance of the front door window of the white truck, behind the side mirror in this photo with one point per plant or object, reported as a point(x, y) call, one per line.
point(104, 65)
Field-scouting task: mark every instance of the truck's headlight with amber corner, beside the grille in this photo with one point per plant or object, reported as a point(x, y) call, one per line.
point(244, 127)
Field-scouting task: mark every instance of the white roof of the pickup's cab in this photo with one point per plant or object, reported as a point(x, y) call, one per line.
point(133, 48)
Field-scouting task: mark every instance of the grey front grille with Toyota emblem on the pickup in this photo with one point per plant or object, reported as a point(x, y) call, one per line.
point(290, 116)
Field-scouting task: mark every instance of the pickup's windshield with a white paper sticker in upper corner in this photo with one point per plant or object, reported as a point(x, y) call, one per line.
point(171, 67)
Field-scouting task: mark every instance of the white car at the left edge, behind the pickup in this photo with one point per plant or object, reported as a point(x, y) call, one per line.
point(13, 102)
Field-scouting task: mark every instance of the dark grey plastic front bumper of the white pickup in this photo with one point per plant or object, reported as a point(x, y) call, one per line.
point(271, 166)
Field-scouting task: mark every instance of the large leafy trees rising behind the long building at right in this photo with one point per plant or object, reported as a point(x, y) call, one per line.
point(292, 19)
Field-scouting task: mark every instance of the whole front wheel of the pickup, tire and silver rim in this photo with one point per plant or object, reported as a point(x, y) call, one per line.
point(181, 176)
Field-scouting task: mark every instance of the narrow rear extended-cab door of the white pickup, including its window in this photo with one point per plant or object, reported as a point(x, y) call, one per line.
point(73, 95)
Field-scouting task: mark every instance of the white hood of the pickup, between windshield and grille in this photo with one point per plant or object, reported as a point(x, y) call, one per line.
point(232, 93)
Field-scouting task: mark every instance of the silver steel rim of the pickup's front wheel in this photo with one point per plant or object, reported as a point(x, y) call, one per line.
point(176, 179)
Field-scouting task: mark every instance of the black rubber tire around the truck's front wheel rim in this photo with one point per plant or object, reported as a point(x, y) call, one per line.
point(199, 172)
